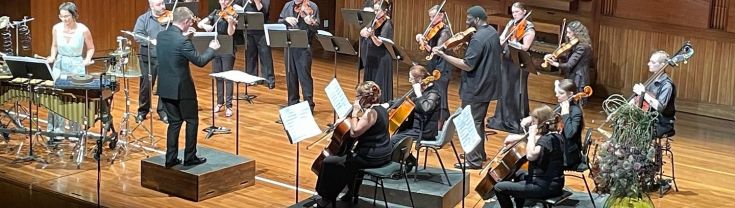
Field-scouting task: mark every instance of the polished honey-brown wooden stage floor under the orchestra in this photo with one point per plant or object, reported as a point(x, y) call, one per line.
point(702, 146)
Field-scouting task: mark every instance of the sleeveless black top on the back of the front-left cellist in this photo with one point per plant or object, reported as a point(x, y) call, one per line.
point(374, 144)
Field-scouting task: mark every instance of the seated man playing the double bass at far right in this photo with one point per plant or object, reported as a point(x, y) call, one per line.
point(660, 95)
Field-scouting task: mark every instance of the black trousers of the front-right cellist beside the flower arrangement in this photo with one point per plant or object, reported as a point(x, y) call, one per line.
point(520, 189)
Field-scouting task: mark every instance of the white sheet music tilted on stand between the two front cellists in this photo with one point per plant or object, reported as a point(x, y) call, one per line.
point(465, 126)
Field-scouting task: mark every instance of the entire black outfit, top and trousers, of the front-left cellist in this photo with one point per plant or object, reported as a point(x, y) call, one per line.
point(373, 150)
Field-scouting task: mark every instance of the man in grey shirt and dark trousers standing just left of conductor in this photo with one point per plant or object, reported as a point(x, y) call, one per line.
point(148, 25)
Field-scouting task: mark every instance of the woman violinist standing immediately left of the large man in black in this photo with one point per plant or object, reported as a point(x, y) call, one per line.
point(441, 33)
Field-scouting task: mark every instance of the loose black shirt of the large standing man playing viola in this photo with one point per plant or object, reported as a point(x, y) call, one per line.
point(483, 56)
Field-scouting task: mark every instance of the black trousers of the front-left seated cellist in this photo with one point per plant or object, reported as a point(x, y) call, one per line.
point(340, 171)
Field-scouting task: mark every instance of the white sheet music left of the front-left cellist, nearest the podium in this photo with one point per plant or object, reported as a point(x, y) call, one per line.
point(299, 122)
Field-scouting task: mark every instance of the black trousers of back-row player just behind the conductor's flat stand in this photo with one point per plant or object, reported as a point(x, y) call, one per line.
point(258, 50)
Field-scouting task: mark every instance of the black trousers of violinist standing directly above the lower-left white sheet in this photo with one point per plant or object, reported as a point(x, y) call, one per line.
point(299, 72)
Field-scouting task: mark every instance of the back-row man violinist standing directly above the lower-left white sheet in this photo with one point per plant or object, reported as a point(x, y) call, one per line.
point(297, 15)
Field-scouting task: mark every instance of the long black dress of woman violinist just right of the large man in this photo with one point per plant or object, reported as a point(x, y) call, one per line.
point(513, 104)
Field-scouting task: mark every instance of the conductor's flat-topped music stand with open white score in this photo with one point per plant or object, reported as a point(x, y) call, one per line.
point(237, 77)
